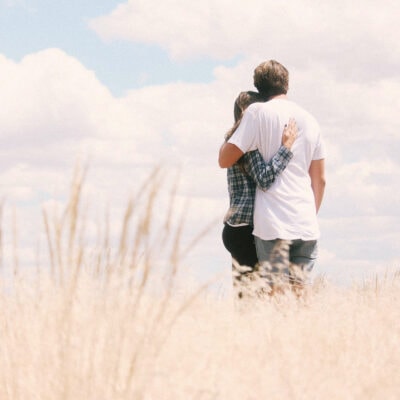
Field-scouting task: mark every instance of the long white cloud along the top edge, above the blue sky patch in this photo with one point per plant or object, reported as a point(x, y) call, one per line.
point(346, 35)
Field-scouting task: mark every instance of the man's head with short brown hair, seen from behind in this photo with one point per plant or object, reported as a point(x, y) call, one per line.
point(271, 78)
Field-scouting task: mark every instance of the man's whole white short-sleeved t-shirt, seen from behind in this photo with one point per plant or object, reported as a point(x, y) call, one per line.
point(287, 209)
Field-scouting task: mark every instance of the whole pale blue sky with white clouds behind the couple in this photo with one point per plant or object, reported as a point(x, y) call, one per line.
point(128, 86)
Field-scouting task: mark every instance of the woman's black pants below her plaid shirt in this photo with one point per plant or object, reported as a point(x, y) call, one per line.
point(239, 241)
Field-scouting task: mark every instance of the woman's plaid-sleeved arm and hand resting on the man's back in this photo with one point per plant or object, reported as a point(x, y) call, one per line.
point(264, 174)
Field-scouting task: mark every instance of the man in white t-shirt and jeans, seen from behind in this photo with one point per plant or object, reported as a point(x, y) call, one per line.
point(285, 216)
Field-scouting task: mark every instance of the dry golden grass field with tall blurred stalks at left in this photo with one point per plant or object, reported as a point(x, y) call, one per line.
point(99, 324)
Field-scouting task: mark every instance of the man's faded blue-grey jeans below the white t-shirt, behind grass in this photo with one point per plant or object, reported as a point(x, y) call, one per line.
point(286, 261)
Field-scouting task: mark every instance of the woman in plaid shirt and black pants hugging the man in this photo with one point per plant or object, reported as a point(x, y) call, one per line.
point(243, 178)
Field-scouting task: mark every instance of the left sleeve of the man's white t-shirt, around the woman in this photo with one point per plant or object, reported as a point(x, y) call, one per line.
point(245, 135)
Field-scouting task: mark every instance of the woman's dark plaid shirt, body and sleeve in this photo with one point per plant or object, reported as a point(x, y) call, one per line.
point(243, 180)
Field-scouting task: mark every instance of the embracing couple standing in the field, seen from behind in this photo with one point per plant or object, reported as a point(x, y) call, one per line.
point(272, 230)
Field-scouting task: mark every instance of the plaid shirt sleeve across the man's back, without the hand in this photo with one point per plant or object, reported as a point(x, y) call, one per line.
point(264, 174)
